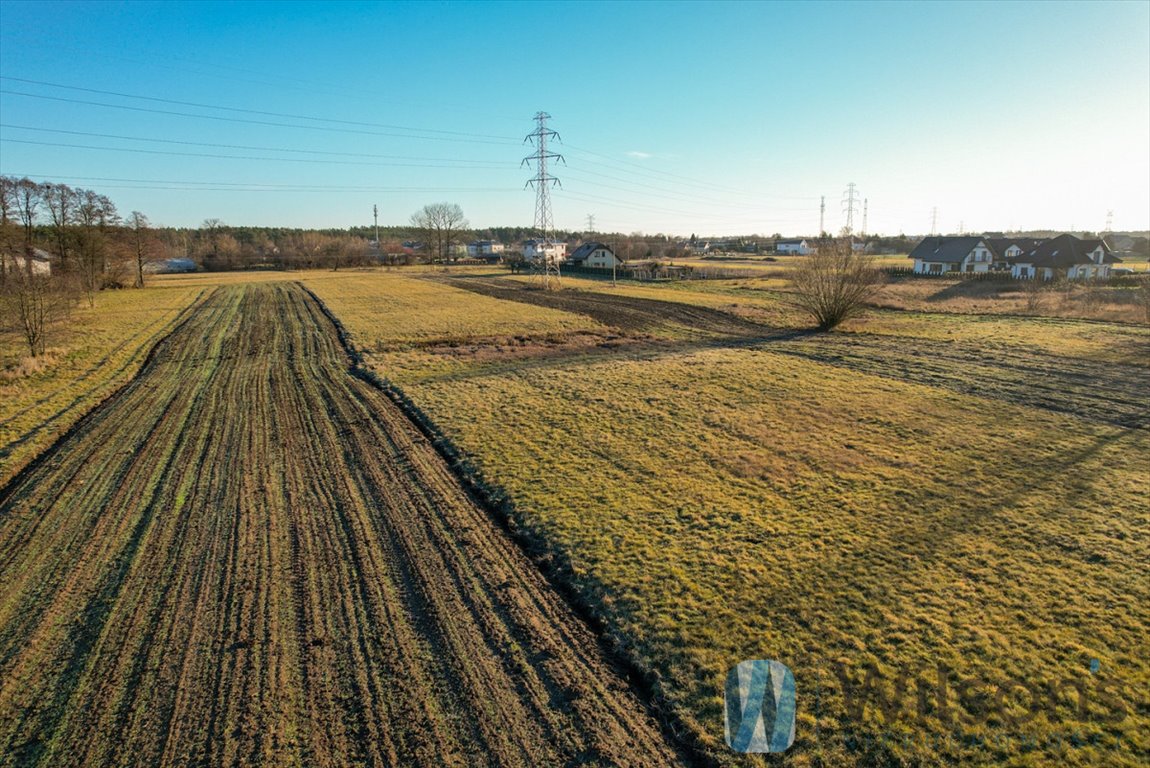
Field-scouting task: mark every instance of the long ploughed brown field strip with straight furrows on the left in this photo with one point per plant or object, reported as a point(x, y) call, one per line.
point(252, 557)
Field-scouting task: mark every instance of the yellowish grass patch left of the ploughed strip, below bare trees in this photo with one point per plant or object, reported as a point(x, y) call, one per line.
point(93, 354)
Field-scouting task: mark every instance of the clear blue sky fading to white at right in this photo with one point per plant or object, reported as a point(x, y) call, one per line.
point(676, 118)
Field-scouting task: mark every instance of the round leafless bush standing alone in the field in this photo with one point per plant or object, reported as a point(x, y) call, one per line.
point(835, 283)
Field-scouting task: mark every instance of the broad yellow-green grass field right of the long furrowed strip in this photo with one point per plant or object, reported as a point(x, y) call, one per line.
point(925, 489)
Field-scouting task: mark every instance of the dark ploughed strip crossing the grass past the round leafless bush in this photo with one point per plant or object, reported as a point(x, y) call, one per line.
point(1005, 373)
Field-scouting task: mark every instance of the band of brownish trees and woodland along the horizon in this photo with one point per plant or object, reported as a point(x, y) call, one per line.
point(83, 231)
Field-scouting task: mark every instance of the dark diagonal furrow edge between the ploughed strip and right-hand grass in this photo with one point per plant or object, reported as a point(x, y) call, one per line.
point(554, 564)
